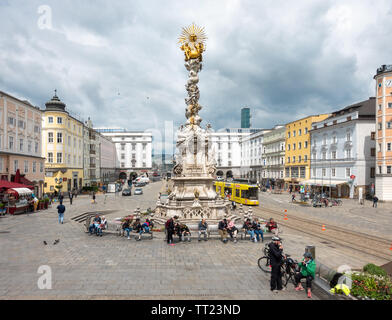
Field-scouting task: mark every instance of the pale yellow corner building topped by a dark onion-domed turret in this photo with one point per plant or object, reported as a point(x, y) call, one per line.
point(62, 146)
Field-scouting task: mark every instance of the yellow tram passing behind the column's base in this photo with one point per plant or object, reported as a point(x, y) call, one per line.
point(238, 192)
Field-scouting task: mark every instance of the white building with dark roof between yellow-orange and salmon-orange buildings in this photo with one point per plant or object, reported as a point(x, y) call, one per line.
point(343, 152)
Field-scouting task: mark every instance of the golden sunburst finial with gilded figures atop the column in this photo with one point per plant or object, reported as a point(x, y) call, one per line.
point(192, 40)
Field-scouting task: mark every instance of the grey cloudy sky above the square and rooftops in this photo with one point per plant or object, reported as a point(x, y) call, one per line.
point(119, 61)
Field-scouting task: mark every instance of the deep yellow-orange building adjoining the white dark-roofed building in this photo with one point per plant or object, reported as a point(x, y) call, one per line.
point(297, 164)
